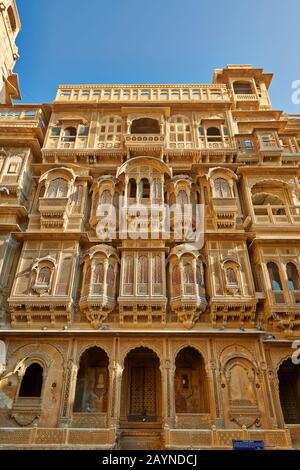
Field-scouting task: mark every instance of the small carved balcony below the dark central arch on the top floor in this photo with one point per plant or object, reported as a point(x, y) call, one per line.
point(145, 144)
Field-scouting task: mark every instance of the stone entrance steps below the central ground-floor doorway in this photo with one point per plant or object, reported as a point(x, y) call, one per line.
point(131, 439)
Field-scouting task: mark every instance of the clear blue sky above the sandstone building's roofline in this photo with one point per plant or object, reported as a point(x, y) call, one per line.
point(157, 41)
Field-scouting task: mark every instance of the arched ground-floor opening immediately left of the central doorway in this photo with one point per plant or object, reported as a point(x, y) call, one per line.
point(91, 394)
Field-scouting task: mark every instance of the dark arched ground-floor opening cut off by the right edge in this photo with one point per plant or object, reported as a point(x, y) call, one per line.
point(289, 391)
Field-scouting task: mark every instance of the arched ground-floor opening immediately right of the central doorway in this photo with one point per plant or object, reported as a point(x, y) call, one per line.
point(191, 387)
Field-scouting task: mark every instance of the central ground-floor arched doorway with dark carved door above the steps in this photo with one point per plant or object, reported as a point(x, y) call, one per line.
point(141, 388)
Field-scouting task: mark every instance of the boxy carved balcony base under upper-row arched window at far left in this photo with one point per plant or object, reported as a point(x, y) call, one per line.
point(54, 212)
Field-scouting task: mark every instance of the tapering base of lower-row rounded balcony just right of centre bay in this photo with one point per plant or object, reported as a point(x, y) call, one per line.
point(188, 304)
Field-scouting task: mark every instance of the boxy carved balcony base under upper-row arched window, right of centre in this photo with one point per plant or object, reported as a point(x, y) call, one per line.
point(225, 212)
